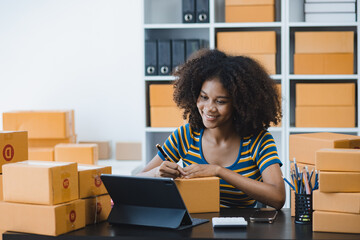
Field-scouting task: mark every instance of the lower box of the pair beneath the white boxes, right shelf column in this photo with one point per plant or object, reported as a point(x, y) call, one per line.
point(323, 63)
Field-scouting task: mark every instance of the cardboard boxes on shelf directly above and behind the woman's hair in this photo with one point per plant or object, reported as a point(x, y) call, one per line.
point(260, 45)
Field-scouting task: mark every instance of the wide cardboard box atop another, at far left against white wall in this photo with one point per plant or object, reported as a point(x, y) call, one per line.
point(45, 130)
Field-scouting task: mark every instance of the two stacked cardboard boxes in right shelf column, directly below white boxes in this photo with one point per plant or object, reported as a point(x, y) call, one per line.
point(329, 52)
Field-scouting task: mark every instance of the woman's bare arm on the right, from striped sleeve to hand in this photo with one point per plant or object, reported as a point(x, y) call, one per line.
point(270, 192)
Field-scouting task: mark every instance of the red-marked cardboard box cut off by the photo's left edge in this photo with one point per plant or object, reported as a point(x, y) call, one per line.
point(13, 147)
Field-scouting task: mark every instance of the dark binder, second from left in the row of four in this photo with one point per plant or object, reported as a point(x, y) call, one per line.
point(164, 57)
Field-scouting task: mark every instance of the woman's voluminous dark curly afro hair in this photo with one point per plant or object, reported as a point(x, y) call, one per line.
point(254, 95)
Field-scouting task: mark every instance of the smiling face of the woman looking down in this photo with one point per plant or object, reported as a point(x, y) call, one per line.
point(214, 104)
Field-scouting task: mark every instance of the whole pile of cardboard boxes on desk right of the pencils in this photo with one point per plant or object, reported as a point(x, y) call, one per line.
point(306, 149)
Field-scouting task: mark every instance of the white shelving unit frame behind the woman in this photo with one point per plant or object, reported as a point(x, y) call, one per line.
point(163, 19)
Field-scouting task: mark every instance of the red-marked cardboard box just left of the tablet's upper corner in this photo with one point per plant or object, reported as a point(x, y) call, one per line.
point(90, 183)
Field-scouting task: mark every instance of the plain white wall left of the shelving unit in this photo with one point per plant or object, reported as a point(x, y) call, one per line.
point(84, 55)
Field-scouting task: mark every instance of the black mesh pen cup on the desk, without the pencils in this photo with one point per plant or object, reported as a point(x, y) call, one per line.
point(303, 208)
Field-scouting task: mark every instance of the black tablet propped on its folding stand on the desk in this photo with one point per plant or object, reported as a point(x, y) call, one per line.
point(146, 201)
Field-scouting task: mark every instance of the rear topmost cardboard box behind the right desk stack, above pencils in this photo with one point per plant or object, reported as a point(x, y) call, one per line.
point(303, 146)
